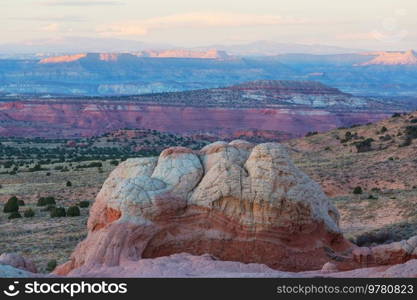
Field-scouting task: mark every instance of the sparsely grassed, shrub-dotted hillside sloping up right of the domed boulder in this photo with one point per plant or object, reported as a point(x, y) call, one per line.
point(387, 173)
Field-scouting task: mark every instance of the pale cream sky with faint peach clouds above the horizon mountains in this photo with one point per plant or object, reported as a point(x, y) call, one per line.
point(366, 24)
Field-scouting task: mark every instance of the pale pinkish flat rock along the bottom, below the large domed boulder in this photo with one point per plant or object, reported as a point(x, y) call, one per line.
point(186, 265)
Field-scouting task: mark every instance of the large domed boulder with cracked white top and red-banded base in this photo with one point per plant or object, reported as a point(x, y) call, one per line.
point(236, 201)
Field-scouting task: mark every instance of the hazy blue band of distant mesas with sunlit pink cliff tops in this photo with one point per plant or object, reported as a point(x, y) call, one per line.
point(157, 71)
